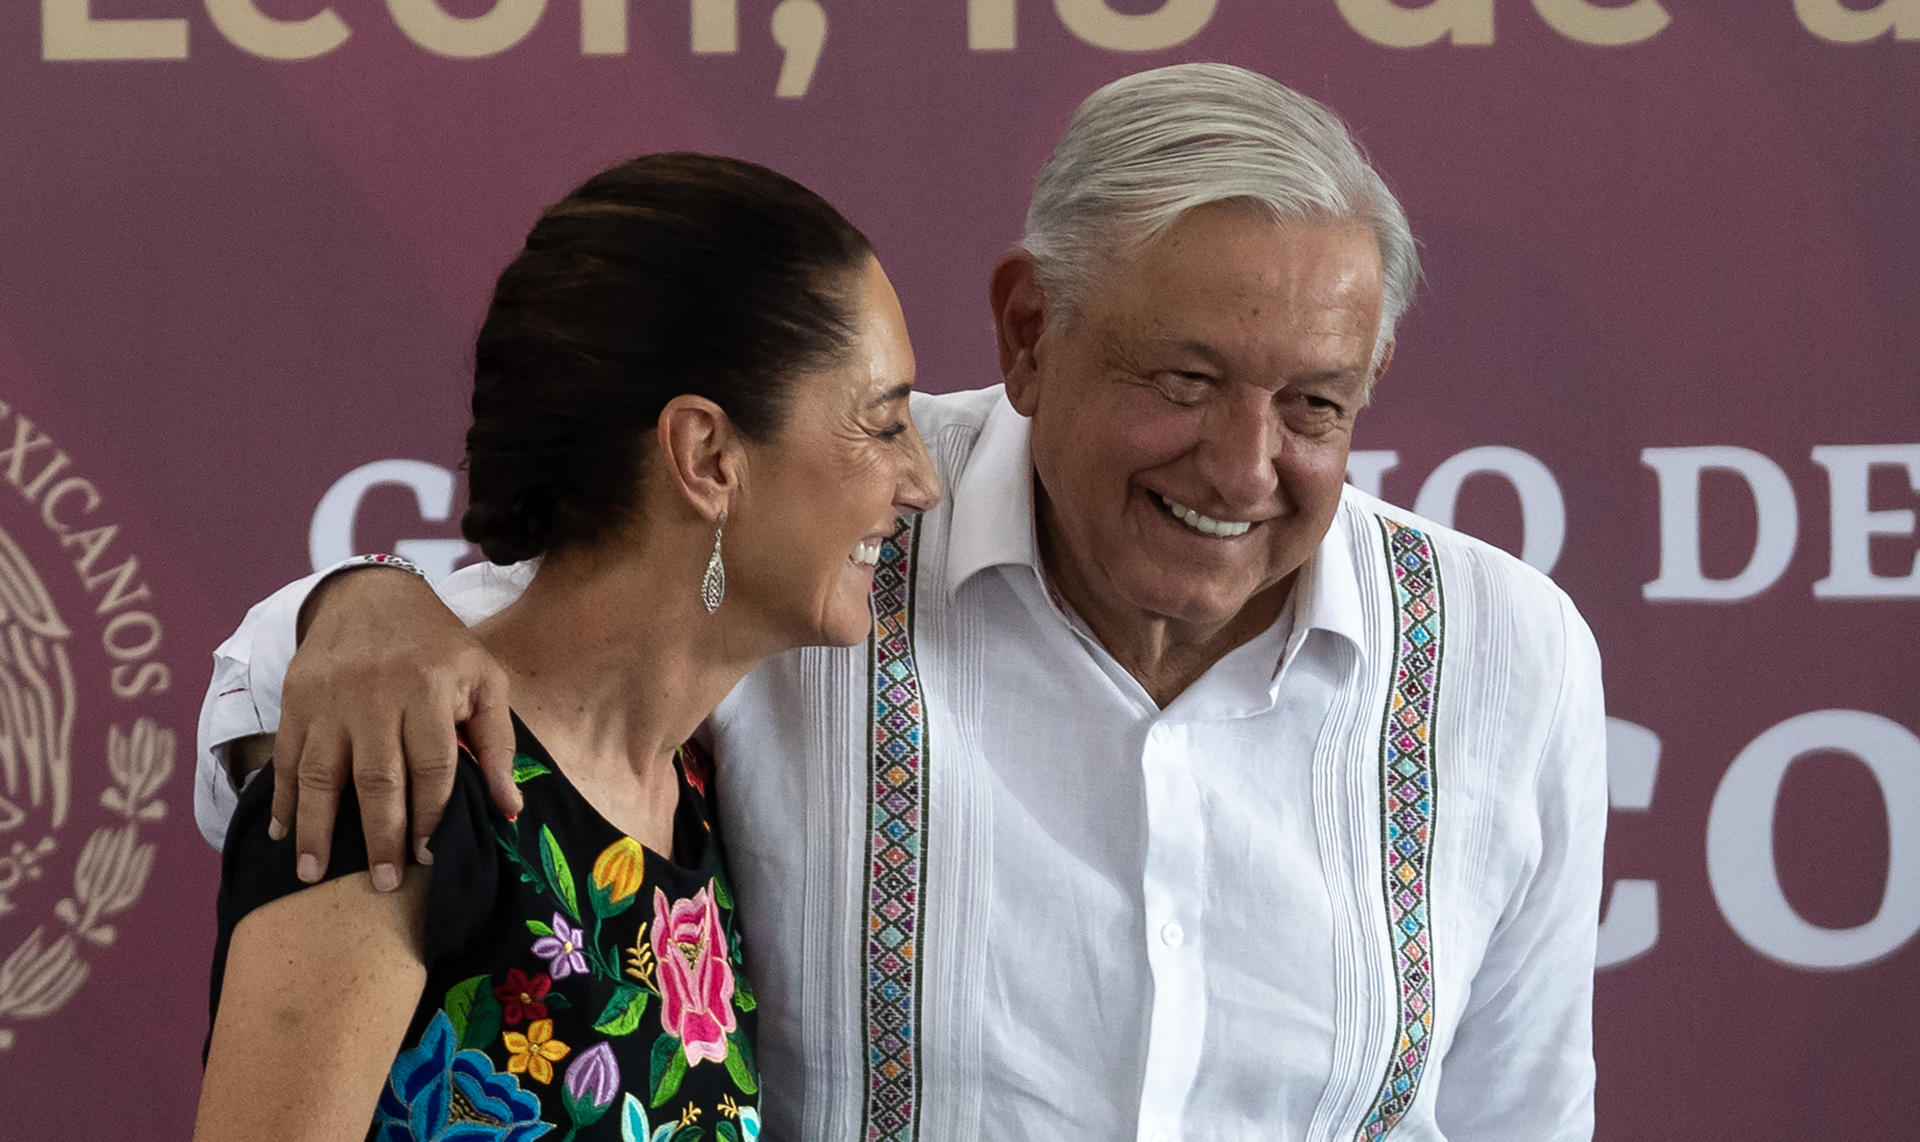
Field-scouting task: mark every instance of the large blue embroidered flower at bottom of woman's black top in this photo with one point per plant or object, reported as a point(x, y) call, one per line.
point(444, 1095)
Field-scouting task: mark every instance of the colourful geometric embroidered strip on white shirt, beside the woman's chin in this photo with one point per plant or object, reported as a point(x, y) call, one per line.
point(896, 859)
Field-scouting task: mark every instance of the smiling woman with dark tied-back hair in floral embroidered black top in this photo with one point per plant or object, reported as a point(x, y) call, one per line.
point(690, 402)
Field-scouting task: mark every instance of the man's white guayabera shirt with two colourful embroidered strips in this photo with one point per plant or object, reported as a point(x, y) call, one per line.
point(1343, 888)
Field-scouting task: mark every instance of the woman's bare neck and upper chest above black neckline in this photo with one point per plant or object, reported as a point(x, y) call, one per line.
point(613, 665)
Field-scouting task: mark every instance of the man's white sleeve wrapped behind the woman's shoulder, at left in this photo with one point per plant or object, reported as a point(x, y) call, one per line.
point(249, 669)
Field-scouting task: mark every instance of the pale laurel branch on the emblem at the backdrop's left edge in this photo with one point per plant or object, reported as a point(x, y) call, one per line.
point(43, 974)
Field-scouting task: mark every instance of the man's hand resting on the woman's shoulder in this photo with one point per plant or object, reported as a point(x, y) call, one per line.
point(383, 677)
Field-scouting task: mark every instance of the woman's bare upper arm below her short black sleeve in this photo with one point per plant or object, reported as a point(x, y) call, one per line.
point(318, 995)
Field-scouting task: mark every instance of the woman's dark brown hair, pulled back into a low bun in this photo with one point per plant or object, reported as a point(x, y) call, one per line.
point(660, 277)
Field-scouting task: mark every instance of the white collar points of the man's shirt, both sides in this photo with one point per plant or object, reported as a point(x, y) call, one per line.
point(994, 527)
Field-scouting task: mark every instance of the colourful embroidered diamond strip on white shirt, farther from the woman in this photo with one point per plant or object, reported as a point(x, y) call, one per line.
point(1408, 815)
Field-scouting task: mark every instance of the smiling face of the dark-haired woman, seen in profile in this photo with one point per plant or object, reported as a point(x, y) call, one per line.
point(832, 485)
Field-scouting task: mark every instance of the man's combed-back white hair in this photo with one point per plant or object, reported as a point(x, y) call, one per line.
point(1151, 147)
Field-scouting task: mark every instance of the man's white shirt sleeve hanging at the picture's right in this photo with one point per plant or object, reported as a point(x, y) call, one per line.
point(1522, 1066)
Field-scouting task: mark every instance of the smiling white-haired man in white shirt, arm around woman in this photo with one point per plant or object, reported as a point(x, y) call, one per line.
point(1184, 792)
